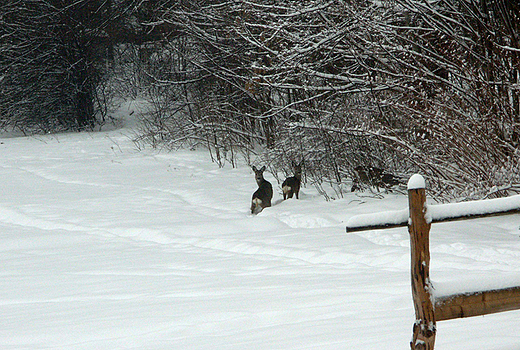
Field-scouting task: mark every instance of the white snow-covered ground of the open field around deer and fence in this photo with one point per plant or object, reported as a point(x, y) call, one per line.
point(106, 247)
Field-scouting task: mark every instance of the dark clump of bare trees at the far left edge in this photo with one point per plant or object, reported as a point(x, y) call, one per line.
point(53, 55)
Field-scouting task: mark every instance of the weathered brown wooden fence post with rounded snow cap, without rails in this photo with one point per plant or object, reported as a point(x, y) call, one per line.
point(424, 328)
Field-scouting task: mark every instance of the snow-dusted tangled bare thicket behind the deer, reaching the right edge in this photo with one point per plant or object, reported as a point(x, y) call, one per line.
point(399, 85)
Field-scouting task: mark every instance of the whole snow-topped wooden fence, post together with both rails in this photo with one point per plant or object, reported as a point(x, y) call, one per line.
point(428, 309)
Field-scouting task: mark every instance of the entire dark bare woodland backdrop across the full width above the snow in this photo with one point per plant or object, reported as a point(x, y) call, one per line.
point(359, 90)
